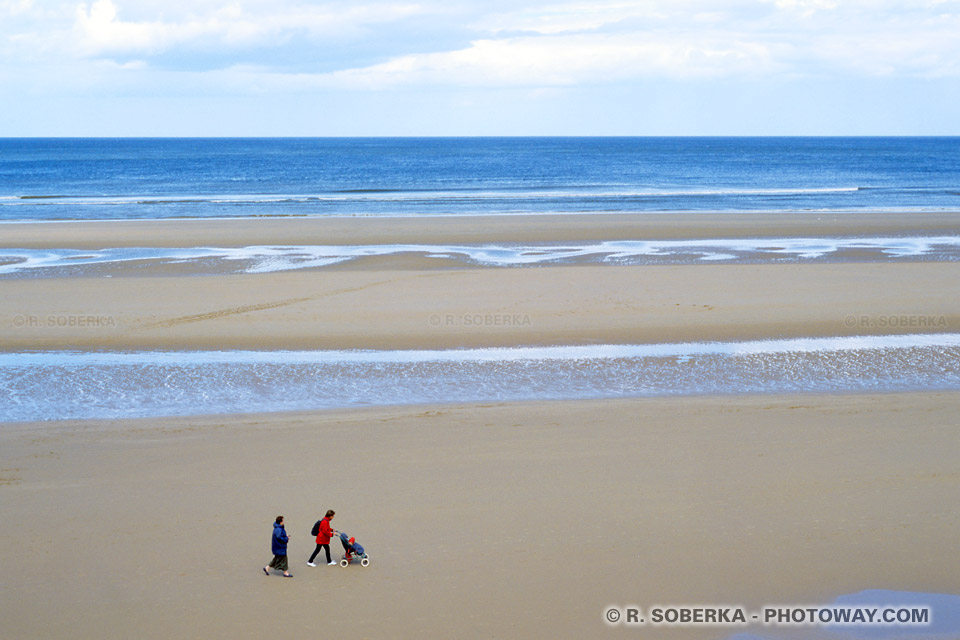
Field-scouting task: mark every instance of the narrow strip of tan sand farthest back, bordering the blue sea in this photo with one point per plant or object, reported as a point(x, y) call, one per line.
point(468, 229)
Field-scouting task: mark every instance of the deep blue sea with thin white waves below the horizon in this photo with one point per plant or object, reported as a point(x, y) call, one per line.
point(87, 179)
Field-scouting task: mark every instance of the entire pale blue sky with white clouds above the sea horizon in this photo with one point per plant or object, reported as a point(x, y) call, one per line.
point(452, 67)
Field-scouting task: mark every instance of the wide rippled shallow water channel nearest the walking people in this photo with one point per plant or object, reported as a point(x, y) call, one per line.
point(68, 385)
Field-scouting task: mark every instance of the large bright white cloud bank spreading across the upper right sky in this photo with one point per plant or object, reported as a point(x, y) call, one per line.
point(623, 42)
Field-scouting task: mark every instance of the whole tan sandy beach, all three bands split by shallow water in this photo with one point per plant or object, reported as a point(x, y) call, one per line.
point(482, 520)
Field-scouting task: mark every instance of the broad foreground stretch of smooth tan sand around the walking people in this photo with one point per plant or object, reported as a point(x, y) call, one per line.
point(520, 520)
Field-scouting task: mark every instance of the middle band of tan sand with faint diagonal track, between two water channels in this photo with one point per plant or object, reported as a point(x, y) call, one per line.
point(387, 308)
